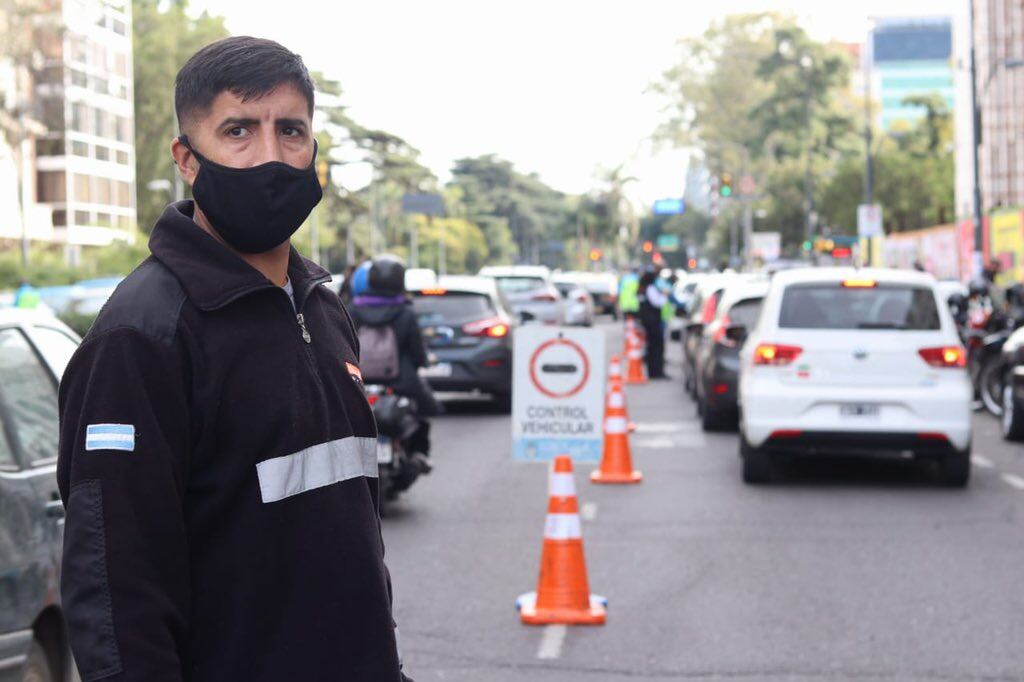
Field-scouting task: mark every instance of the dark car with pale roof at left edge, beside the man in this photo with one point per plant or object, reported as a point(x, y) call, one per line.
point(35, 349)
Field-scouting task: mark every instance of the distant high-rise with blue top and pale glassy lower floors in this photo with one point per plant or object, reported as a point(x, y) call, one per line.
point(911, 57)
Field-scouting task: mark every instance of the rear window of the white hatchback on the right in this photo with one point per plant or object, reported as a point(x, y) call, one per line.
point(831, 306)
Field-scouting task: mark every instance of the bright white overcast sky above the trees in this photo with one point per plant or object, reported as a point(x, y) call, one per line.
point(558, 87)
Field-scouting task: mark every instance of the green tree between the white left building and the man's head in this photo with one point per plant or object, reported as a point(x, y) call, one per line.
point(165, 36)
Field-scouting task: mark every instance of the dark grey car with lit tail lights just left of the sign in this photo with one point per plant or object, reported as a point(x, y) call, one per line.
point(467, 327)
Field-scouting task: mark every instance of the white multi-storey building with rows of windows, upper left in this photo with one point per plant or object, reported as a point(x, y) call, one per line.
point(86, 165)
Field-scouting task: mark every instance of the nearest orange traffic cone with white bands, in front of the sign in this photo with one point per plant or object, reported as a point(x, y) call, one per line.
point(563, 592)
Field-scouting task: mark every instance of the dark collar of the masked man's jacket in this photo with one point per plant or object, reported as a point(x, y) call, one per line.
point(211, 275)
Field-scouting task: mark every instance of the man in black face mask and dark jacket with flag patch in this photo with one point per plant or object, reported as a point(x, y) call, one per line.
point(218, 453)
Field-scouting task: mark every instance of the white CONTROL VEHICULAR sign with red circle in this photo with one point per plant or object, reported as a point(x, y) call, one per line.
point(558, 394)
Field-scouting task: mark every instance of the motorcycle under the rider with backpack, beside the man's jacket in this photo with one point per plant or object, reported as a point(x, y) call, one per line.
point(402, 442)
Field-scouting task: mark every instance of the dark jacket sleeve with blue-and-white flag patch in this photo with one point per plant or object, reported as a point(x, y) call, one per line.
point(124, 444)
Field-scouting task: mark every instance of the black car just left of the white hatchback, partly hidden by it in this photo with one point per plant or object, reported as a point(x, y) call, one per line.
point(717, 362)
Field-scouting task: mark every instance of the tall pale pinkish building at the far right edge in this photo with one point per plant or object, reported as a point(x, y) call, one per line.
point(999, 39)
